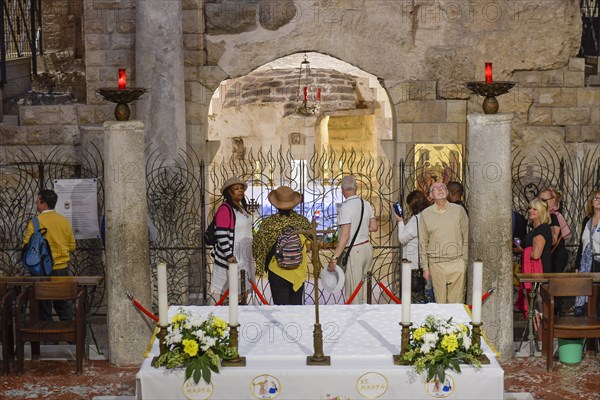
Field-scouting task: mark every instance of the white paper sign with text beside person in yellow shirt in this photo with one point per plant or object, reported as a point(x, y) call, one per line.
point(78, 201)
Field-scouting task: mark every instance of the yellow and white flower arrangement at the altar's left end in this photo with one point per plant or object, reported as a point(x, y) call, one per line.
point(197, 343)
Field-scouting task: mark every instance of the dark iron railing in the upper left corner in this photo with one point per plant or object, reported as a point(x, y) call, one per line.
point(21, 34)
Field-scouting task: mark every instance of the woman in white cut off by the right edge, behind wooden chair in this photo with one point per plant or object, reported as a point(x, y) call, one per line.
point(588, 254)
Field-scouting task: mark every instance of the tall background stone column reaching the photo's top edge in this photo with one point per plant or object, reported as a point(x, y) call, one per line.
point(159, 68)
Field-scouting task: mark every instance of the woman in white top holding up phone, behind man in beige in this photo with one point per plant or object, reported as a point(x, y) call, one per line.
point(408, 235)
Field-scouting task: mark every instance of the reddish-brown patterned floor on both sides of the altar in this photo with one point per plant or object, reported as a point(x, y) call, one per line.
point(54, 378)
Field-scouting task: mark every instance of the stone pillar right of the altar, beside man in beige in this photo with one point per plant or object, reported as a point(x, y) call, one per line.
point(490, 221)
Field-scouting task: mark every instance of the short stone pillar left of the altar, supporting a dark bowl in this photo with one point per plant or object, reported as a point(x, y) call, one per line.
point(127, 251)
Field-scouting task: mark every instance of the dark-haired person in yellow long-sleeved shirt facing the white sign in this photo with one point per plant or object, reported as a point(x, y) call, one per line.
point(61, 240)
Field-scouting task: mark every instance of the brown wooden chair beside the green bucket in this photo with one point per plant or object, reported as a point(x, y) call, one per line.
point(568, 327)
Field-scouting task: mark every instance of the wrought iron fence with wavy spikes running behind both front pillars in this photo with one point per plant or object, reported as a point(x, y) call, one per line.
point(183, 195)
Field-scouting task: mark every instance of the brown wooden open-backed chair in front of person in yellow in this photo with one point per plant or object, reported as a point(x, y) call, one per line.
point(28, 328)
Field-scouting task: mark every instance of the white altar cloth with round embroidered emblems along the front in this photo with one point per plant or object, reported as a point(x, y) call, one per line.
point(360, 339)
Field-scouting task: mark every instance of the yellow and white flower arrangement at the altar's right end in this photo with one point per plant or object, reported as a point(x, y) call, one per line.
point(441, 344)
